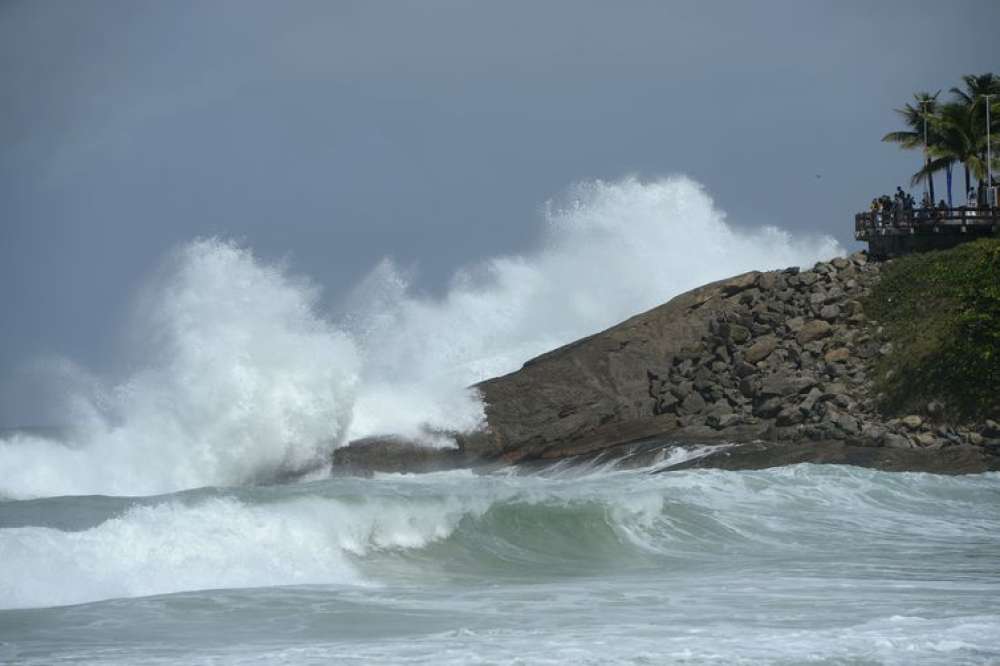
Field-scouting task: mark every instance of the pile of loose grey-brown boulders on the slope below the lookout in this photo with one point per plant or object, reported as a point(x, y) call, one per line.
point(790, 353)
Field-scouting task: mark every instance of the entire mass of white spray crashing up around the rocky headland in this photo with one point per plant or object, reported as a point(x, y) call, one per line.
point(241, 379)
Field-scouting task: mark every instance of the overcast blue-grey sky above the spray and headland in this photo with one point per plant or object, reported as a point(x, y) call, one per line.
point(336, 133)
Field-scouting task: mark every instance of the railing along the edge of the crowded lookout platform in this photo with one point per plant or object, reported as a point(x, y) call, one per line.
point(925, 220)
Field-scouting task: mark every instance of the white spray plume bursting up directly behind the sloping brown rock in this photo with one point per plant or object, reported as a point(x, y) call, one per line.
point(608, 250)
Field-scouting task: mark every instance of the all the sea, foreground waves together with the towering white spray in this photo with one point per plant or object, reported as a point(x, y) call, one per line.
point(184, 510)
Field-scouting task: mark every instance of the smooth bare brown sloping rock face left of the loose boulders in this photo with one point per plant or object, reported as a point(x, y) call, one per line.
point(605, 375)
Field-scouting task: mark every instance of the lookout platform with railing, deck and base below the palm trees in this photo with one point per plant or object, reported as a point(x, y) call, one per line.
point(921, 229)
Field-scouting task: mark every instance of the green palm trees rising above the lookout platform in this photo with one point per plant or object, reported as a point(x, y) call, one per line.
point(956, 131)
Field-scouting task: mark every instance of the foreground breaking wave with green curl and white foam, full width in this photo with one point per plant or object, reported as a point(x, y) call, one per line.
point(454, 525)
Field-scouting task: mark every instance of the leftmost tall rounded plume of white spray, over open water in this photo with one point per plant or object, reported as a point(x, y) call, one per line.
point(239, 381)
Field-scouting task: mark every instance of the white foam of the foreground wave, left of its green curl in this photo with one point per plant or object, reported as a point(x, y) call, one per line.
point(219, 543)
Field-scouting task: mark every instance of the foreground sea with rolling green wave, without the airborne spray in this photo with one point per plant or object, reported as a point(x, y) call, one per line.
point(802, 564)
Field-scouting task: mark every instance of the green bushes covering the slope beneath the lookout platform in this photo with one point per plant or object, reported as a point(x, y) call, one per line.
point(941, 312)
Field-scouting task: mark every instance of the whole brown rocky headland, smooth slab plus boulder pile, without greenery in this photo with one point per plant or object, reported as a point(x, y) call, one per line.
point(778, 365)
